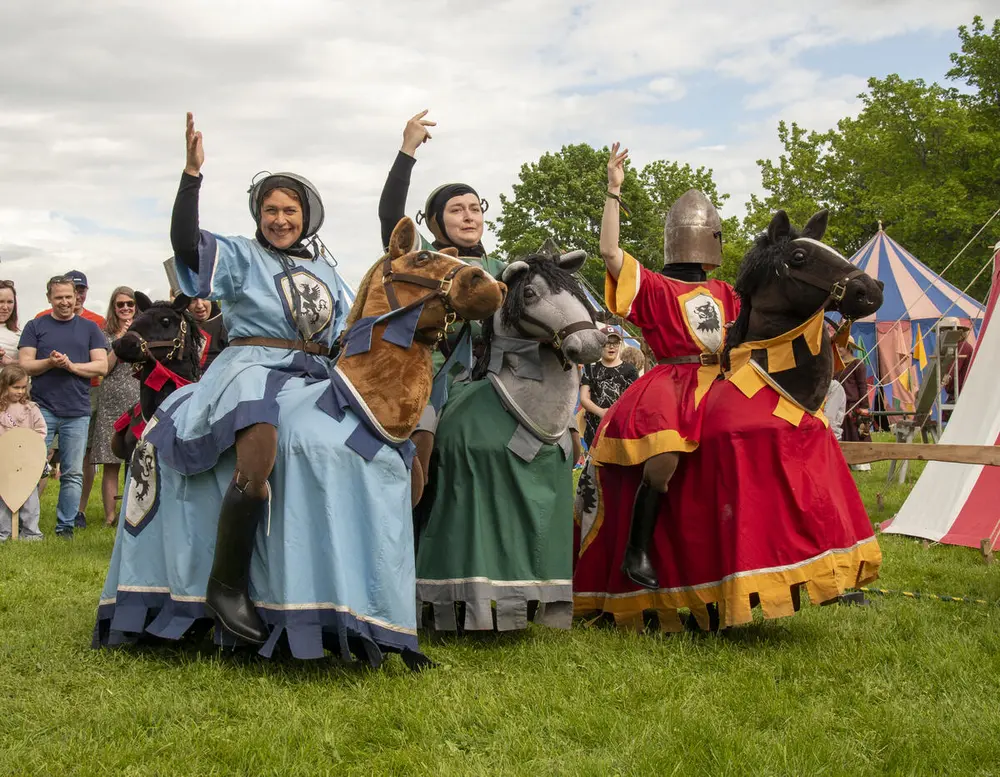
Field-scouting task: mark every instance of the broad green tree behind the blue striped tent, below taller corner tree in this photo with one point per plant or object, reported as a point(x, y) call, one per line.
point(915, 159)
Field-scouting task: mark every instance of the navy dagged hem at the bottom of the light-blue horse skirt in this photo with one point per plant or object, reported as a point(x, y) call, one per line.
point(310, 633)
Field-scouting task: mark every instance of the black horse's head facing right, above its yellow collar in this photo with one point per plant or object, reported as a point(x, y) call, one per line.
point(788, 275)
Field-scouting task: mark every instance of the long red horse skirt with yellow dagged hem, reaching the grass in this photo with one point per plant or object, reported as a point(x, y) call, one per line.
point(761, 508)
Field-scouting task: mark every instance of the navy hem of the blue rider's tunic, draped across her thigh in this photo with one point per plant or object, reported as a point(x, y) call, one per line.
point(189, 457)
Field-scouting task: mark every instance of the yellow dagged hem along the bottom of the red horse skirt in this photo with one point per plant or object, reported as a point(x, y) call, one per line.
point(825, 577)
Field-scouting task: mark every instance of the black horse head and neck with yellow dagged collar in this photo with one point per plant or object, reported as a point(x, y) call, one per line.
point(787, 280)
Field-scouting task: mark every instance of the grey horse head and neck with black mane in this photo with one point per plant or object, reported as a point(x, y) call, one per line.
point(544, 328)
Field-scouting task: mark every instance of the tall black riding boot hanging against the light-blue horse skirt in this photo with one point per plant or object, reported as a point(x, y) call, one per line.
point(228, 595)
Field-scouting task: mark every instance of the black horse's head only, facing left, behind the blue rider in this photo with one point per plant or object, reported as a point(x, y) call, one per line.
point(163, 332)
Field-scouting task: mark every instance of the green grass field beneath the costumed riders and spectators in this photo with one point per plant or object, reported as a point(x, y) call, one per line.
point(899, 687)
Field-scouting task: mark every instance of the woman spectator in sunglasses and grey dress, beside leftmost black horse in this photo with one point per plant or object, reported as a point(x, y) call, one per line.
point(119, 393)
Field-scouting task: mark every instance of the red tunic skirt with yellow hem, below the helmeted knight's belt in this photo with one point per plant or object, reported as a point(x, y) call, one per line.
point(658, 413)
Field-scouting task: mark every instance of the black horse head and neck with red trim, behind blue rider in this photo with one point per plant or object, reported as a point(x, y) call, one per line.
point(164, 345)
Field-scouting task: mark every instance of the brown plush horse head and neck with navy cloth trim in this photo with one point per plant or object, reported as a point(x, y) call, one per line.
point(406, 303)
